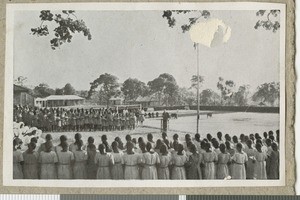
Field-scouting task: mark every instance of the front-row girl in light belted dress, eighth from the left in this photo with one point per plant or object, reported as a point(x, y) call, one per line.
point(117, 169)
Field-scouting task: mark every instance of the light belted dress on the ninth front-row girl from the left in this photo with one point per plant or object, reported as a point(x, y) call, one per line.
point(131, 162)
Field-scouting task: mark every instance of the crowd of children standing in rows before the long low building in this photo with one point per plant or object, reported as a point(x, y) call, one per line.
point(60, 119)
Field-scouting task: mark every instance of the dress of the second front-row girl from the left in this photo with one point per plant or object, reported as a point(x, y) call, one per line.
point(31, 162)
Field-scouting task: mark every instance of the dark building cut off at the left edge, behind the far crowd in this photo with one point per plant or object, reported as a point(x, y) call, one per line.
point(23, 96)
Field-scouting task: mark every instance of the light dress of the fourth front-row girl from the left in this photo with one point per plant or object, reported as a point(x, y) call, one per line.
point(64, 168)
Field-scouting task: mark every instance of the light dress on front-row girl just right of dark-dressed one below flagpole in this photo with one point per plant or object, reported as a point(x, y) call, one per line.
point(209, 159)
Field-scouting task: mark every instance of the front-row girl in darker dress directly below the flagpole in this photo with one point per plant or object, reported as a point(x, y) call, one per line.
point(194, 170)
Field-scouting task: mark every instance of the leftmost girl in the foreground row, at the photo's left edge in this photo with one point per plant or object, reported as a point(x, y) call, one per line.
point(18, 161)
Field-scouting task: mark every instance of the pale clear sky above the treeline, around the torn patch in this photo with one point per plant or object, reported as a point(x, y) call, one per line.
point(140, 44)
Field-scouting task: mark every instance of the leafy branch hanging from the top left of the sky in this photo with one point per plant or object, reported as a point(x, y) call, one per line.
point(68, 24)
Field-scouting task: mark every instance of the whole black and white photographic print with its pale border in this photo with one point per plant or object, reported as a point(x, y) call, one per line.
point(145, 94)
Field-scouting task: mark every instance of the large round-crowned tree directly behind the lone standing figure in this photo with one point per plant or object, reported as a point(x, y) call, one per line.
point(166, 87)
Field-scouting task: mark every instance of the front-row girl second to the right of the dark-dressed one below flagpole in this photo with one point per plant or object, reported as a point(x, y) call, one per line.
point(223, 160)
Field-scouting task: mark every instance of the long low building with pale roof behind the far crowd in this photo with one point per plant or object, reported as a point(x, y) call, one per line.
point(59, 101)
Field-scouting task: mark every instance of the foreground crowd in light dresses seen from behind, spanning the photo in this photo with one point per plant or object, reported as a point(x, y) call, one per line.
point(224, 157)
